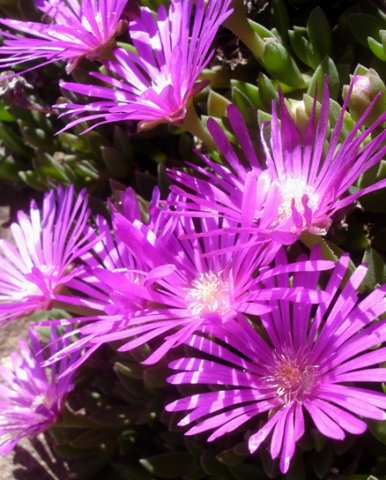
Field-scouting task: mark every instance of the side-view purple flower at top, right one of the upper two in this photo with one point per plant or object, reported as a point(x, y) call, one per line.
point(155, 84)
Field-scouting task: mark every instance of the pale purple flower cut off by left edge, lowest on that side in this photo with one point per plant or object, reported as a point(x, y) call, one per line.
point(31, 396)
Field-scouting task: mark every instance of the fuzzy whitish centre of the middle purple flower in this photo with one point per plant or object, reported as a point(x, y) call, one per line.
point(209, 293)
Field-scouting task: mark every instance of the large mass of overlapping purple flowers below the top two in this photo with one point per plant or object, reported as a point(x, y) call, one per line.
point(198, 273)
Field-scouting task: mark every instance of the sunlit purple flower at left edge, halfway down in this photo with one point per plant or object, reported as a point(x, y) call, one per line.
point(46, 243)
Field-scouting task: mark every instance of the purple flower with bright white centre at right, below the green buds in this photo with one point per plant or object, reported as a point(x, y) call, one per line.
point(302, 179)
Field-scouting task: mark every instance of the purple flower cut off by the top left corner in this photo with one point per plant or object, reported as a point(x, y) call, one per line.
point(75, 29)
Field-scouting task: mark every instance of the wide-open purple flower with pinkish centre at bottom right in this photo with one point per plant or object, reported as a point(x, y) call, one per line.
point(301, 360)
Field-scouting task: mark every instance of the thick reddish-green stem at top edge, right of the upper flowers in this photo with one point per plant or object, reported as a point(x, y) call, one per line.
point(238, 24)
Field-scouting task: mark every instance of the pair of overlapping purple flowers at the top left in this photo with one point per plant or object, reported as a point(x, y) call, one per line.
point(153, 83)
